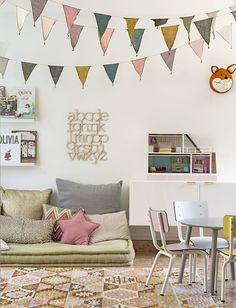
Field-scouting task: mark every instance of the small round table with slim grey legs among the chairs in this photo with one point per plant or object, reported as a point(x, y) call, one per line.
point(213, 223)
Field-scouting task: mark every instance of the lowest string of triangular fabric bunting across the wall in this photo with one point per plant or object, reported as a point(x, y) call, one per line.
point(111, 69)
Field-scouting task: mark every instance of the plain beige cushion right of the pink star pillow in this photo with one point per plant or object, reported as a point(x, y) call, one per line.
point(113, 226)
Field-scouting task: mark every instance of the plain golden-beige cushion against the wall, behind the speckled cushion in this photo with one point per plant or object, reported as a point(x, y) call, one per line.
point(24, 203)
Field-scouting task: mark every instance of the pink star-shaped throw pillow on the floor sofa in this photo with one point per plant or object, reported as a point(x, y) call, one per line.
point(77, 230)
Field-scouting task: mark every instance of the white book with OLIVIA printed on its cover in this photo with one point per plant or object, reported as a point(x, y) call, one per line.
point(10, 148)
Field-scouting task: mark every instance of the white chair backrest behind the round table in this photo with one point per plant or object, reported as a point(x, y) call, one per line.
point(189, 209)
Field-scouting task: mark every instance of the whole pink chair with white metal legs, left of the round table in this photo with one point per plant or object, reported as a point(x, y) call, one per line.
point(159, 223)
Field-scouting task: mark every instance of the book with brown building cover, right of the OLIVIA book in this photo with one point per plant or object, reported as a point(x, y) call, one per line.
point(28, 146)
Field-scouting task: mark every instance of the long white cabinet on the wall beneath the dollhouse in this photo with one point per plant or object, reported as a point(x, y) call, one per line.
point(221, 198)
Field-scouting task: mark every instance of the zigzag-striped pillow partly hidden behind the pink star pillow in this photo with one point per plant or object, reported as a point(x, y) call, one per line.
point(57, 213)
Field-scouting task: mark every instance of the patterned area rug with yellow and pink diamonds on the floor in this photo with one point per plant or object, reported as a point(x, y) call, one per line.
point(96, 287)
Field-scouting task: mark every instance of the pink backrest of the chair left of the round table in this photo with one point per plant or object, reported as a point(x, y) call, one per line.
point(158, 223)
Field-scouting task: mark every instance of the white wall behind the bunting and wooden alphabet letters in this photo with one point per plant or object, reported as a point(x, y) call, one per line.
point(182, 102)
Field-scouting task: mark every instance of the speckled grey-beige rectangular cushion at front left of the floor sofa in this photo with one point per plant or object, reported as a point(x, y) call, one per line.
point(25, 231)
